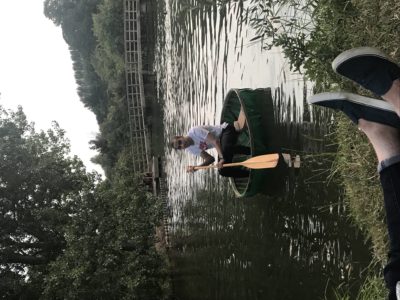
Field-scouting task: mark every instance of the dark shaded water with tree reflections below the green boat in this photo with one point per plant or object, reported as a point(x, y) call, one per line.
point(268, 247)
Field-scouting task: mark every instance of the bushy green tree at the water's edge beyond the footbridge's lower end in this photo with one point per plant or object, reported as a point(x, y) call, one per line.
point(110, 252)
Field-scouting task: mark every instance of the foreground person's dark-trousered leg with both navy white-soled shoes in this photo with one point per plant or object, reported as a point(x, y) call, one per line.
point(380, 122)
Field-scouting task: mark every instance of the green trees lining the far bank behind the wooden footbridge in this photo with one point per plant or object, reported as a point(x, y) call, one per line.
point(66, 233)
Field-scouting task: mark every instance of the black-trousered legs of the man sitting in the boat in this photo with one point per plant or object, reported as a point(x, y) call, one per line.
point(228, 142)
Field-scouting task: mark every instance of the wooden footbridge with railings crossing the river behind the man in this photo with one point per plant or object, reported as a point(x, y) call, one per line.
point(135, 95)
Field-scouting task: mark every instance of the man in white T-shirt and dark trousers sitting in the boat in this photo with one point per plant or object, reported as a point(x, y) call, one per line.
point(223, 138)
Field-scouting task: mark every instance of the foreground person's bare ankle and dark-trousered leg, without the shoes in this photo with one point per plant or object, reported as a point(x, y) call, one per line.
point(386, 143)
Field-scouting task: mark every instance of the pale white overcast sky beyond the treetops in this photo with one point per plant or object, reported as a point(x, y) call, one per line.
point(36, 73)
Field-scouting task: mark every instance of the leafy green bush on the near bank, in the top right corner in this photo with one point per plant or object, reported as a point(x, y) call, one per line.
point(312, 32)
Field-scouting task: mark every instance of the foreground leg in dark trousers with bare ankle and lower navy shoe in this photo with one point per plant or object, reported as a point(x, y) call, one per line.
point(385, 139)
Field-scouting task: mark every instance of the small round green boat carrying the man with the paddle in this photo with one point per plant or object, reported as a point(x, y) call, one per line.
point(258, 135)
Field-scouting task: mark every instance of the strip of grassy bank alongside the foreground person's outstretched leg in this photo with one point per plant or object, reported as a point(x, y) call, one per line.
point(355, 167)
